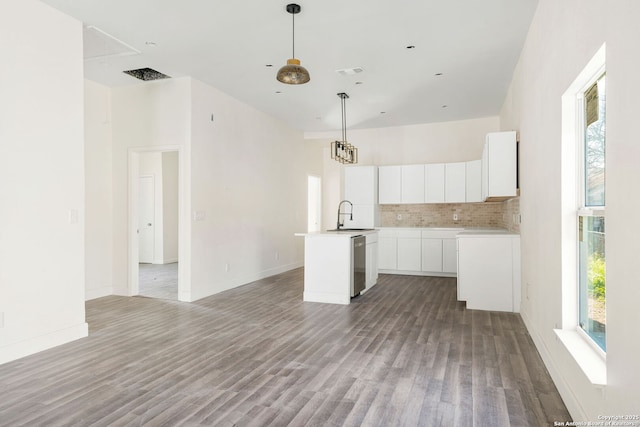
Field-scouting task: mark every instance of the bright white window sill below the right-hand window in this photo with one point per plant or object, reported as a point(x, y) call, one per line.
point(591, 363)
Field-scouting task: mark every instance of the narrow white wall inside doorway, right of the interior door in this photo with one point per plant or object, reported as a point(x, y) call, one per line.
point(170, 172)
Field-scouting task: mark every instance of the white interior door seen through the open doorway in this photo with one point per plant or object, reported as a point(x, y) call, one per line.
point(146, 212)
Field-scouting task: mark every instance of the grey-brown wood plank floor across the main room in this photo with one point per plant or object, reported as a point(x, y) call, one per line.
point(404, 353)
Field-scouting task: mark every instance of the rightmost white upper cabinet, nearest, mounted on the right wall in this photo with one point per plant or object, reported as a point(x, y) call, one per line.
point(499, 159)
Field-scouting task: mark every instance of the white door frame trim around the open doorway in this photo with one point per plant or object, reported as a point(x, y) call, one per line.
point(184, 225)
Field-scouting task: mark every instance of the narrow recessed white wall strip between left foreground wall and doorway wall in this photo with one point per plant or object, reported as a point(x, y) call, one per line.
point(98, 191)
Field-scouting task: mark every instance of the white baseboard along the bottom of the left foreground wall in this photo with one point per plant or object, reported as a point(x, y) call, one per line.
point(43, 342)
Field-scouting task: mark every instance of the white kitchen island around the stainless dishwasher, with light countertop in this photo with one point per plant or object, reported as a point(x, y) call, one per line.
point(329, 264)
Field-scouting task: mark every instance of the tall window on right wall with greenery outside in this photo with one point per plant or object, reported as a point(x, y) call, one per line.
point(591, 213)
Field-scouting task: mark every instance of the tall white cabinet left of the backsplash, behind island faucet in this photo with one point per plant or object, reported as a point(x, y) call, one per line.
point(361, 189)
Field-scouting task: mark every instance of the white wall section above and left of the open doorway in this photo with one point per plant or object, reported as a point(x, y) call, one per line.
point(144, 116)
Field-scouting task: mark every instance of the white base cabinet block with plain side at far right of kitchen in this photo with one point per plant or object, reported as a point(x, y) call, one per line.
point(489, 271)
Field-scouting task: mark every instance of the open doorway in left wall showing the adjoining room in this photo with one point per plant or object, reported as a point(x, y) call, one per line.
point(156, 223)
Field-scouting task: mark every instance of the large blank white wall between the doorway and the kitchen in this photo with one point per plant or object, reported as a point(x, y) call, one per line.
point(249, 181)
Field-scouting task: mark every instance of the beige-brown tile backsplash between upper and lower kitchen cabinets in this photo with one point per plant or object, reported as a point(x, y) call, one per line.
point(494, 214)
